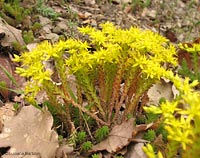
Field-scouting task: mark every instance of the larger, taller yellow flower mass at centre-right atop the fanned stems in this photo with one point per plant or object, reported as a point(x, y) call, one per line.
point(143, 49)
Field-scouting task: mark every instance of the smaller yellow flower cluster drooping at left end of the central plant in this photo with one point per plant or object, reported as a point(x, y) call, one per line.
point(33, 67)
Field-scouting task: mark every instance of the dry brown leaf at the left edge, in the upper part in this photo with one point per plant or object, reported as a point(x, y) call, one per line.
point(12, 35)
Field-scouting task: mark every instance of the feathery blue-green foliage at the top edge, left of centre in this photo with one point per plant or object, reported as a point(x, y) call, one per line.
point(45, 10)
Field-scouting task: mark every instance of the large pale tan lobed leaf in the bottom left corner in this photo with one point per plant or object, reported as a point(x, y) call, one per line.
point(29, 133)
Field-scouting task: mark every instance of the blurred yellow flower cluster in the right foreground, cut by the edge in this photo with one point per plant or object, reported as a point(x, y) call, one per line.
point(181, 116)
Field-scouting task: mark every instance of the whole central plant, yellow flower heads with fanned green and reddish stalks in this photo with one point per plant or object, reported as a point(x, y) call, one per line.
point(132, 57)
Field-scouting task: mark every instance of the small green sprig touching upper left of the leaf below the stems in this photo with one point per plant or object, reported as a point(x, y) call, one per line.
point(102, 133)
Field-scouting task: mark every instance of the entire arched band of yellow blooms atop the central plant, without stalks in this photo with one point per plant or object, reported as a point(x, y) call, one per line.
point(138, 49)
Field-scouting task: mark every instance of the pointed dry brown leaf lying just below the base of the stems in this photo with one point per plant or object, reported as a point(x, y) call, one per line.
point(118, 138)
